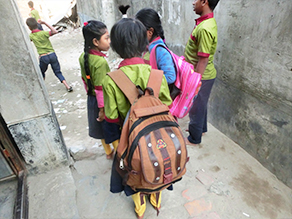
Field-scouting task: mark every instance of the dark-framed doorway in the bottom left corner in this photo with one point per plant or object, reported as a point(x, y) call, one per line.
point(13, 188)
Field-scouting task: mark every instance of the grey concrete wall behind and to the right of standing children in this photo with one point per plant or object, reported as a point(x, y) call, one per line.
point(252, 98)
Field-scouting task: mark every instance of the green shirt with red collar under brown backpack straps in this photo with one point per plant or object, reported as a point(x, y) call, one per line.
point(116, 105)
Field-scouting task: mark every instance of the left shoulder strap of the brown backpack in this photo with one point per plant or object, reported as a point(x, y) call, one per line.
point(125, 84)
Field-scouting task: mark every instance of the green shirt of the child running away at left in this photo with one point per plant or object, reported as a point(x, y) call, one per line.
point(41, 41)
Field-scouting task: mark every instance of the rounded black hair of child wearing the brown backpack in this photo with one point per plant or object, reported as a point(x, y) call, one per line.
point(129, 38)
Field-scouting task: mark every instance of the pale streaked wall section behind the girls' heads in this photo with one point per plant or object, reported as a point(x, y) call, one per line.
point(177, 16)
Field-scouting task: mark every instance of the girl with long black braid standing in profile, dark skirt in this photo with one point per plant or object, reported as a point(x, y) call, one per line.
point(93, 69)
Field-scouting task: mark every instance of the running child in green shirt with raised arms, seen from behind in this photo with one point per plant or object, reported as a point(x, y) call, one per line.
point(45, 49)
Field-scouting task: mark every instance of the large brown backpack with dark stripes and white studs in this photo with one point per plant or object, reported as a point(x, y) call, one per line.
point(152, 152)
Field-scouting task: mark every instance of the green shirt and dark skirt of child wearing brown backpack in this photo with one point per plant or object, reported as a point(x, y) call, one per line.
point(117, 105)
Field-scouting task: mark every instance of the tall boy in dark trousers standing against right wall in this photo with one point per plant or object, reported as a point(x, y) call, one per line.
point(199, 51)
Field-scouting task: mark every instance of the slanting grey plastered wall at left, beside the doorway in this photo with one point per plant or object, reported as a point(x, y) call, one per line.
point(24, 102)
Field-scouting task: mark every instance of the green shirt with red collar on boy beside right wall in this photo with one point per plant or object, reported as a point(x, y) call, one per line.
point(203, 43)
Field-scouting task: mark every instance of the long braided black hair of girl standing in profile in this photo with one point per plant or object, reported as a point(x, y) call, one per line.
point(91, 29)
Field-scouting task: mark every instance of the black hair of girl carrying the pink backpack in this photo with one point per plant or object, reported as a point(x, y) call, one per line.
point(150, 18)
